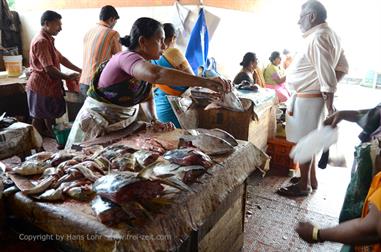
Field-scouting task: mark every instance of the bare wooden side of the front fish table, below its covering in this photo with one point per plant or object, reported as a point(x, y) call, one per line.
point(222, 230)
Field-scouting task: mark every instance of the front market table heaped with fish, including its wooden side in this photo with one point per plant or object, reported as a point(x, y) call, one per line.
point(191, 197)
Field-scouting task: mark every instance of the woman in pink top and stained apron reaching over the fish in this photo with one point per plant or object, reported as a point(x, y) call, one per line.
point(125, 80)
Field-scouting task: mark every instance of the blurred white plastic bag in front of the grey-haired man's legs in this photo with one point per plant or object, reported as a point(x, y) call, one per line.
point(313, 143)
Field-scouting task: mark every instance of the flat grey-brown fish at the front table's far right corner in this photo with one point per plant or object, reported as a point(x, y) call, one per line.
point(209, 144)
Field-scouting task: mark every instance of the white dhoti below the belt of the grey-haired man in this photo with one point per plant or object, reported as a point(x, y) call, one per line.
point(307, 115)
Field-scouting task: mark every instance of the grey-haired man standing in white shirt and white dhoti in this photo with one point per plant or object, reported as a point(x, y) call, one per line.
point(312, 78)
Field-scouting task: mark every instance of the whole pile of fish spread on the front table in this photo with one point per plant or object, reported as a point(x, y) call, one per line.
point(124, 182)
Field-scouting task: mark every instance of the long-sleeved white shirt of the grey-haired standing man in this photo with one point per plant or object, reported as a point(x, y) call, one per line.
point(313, 68)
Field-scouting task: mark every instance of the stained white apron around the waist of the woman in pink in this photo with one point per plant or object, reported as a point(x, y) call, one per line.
point(98, 118)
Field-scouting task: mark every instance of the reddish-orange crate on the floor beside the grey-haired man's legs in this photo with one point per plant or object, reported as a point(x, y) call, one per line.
point(279, 150)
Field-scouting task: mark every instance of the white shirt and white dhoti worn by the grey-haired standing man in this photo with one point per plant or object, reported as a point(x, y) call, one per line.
point(311, 72)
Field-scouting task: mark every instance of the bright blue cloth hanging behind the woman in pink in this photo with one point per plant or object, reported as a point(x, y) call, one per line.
point(197, 49)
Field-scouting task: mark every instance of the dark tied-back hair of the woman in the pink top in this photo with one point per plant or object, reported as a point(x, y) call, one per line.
point(145, 27)
